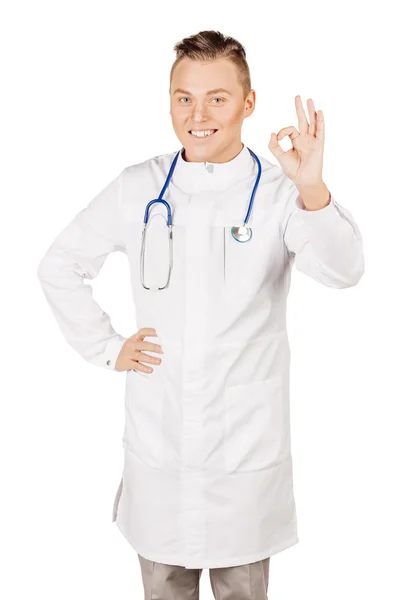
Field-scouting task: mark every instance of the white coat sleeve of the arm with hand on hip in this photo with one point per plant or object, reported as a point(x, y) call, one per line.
point(76, 254)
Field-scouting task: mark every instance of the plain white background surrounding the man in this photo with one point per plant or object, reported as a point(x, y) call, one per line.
point(85, 94)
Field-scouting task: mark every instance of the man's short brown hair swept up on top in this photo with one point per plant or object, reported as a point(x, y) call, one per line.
point(208, 45)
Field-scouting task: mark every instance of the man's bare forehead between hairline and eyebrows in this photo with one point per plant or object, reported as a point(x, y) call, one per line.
point(203, 75)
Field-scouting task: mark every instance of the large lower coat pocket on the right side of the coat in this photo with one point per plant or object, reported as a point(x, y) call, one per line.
point(255, 431)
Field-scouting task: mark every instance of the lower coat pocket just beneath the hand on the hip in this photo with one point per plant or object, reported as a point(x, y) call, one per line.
point(144, 418)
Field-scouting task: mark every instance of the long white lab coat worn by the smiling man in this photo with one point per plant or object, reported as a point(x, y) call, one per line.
point(207, 475)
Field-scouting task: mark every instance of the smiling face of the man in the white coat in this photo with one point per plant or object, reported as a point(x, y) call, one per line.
point(198, 103)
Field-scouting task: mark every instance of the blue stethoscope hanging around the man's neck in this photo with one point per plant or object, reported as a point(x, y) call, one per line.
point(240, 234)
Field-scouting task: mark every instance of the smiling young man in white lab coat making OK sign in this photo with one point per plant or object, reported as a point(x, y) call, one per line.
point(207, 476)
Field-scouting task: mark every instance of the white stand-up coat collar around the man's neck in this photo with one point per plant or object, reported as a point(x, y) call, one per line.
point(192, 177)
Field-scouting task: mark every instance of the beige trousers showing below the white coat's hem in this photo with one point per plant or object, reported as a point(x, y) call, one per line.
point(172, 582)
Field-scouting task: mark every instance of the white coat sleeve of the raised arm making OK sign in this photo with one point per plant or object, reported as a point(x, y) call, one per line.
point(326, 244)
